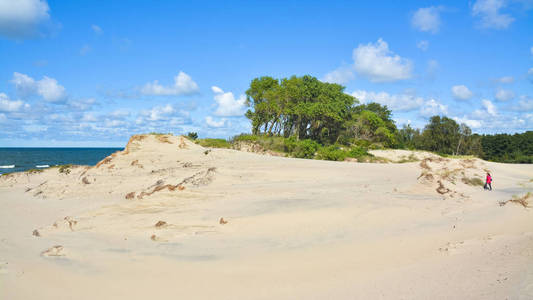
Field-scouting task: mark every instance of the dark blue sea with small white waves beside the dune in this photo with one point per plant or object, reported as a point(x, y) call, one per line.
point(30, 158)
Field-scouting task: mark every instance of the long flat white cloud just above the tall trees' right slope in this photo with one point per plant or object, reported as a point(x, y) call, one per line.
point(401, 102)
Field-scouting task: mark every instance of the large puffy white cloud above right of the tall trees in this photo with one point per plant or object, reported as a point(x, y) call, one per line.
point(379, 64)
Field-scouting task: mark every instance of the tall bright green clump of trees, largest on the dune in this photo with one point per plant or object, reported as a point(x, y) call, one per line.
point(306, 108)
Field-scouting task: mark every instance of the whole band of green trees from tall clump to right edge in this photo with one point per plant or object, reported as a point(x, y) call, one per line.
point(306, 108)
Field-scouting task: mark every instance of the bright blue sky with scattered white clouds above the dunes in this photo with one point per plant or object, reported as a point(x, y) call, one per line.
point(92, 73)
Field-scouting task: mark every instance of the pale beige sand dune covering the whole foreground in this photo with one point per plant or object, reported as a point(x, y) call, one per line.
point(297, 229)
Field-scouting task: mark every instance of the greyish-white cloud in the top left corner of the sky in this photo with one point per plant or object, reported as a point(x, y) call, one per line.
point(20, 18)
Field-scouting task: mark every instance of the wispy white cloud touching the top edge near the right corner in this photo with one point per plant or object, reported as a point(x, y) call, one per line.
point(490, 15)
